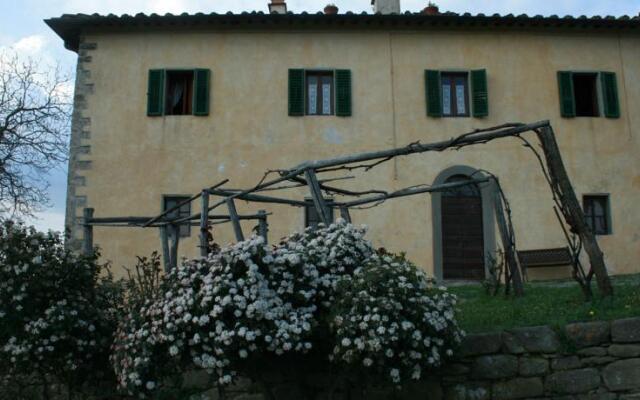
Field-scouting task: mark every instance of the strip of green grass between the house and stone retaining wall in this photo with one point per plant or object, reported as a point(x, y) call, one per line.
point(553, 303)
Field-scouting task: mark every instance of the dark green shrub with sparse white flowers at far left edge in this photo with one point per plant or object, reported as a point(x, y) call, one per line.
point(57, 312)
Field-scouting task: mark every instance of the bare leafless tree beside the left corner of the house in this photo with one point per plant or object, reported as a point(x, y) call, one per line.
point(35, 111)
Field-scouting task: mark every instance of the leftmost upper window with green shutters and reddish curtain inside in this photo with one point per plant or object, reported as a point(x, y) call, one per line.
point(178, 92)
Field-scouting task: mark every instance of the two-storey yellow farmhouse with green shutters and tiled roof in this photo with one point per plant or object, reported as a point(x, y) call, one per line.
point(168, 104)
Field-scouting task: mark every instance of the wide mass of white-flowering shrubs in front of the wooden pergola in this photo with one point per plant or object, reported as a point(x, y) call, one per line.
point(226, 313)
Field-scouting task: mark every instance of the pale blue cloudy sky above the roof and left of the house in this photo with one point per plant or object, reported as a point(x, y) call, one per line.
point(21, 27)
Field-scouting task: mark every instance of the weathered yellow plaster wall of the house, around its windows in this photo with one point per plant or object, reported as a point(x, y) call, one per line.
point(136, 159)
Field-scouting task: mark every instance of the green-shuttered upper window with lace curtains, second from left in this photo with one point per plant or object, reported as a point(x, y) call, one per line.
point(319, 92)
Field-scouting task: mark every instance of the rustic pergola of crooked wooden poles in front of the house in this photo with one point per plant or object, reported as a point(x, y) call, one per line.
point(308, 174)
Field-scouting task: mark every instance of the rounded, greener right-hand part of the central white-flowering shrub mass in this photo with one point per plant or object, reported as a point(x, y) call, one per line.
point(391, 319)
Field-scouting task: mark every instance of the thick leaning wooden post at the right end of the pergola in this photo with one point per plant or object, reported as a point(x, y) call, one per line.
point(571, 208)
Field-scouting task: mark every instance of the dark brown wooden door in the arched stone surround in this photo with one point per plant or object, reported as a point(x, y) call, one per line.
point(462, 232)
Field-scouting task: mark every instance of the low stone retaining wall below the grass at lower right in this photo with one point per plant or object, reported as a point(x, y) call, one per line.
point(586, 361)
